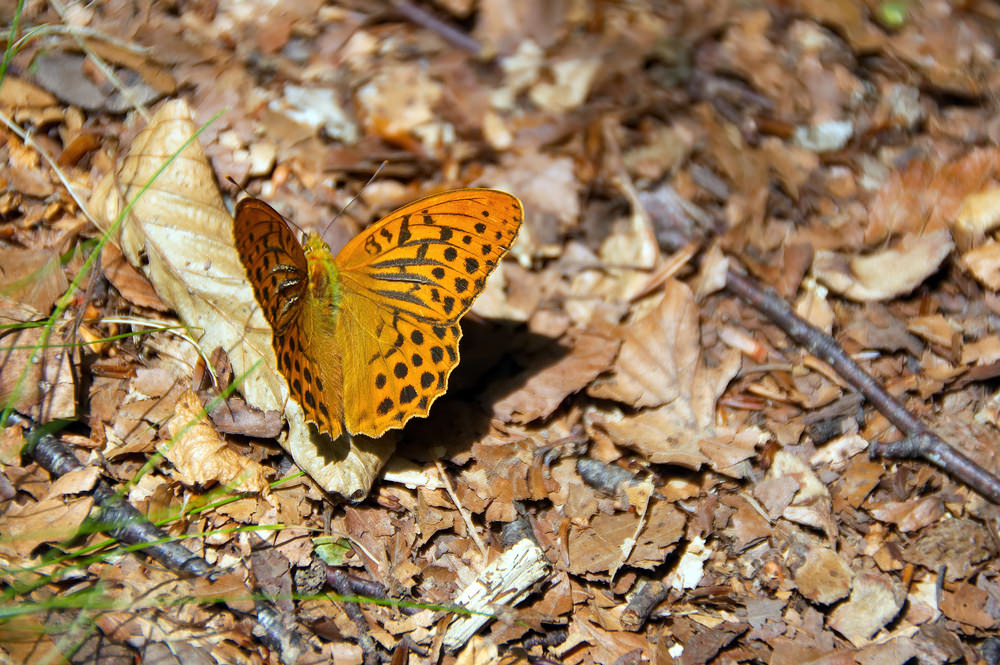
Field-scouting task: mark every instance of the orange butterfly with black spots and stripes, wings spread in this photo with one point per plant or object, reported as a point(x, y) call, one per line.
point(367, 339)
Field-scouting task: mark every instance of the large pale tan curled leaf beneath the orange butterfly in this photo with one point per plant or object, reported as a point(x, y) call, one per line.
point(179, 234)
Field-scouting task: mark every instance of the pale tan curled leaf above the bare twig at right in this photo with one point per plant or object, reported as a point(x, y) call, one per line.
point(886, 274)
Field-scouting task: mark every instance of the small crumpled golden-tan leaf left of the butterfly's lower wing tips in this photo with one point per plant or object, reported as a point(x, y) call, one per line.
point(201, 457)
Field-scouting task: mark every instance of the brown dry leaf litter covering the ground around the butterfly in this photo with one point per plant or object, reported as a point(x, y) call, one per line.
point(690, 484)
